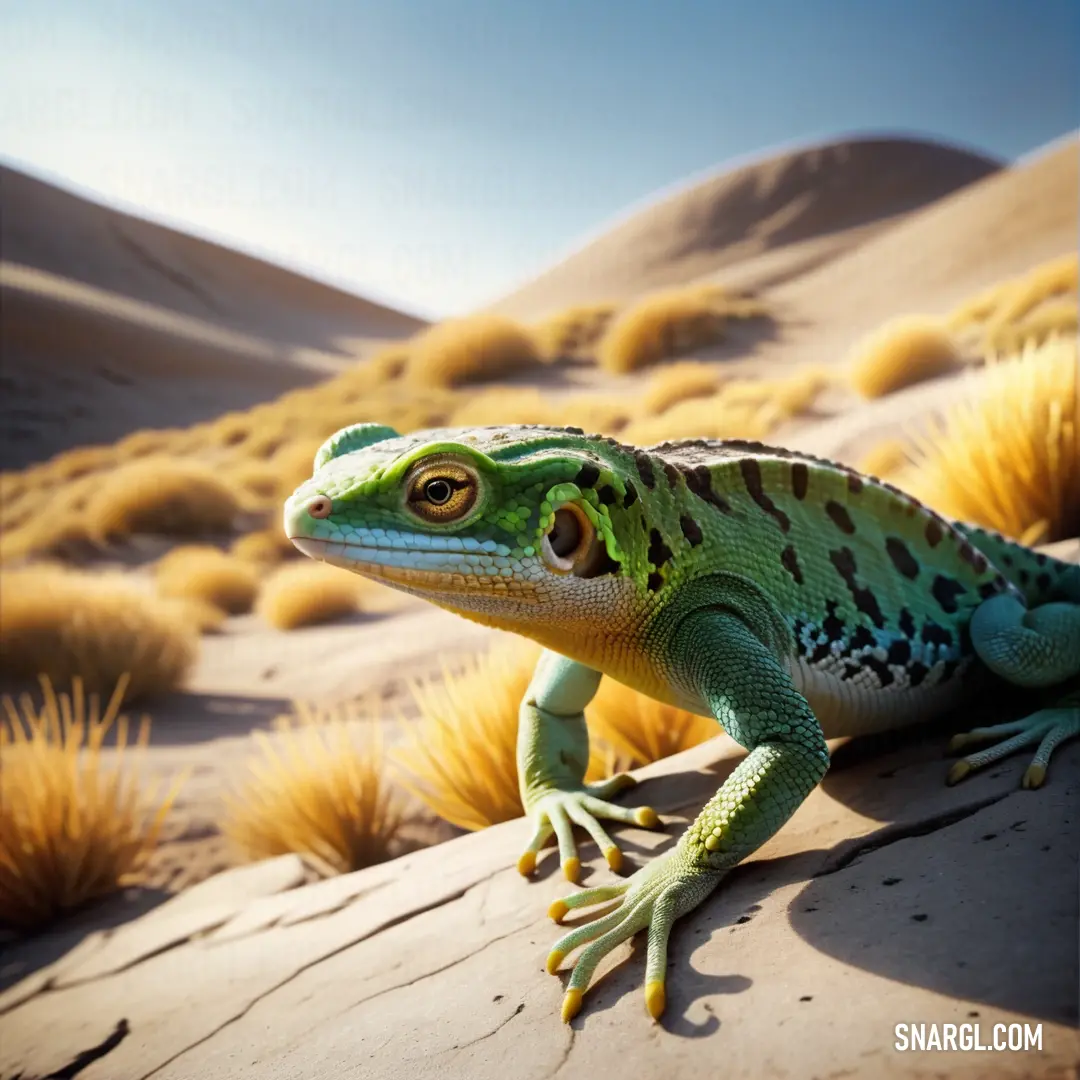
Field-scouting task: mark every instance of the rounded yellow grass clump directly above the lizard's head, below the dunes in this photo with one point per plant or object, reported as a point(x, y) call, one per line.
point(474, 349)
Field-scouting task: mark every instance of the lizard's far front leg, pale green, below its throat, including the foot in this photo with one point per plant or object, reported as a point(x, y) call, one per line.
point(552, 760)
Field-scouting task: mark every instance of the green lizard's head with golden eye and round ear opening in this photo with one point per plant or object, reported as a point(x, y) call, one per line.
point(516, 526)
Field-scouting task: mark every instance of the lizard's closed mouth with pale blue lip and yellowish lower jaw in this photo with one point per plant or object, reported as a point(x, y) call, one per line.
point(442, 572)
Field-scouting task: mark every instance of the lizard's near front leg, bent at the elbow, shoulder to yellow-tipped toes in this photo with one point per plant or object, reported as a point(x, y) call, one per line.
point(715, 655)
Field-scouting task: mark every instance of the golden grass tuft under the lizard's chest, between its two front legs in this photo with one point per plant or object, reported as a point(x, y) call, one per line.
point(643, 730)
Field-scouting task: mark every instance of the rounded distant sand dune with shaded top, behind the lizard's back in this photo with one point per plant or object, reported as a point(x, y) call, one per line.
point(814, 204)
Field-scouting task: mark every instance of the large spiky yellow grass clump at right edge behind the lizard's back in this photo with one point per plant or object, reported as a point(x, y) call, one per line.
point(1009, 458)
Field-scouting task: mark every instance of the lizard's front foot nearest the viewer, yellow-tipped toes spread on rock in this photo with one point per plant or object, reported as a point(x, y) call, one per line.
point(655, 897)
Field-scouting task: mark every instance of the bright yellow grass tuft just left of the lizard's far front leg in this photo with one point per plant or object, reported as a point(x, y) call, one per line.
point(461, 760)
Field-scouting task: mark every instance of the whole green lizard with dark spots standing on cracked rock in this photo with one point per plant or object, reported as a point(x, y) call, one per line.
point(792, 599)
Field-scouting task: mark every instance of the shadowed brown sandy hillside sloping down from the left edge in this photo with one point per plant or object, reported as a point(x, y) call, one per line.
point(113, 323)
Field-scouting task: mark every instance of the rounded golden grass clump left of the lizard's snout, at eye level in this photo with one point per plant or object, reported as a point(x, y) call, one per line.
point(165, 496)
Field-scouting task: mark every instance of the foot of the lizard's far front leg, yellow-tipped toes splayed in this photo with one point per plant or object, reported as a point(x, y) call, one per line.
point(559, 812)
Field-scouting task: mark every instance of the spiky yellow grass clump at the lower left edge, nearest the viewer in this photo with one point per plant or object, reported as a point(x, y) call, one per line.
point(73, 829)
